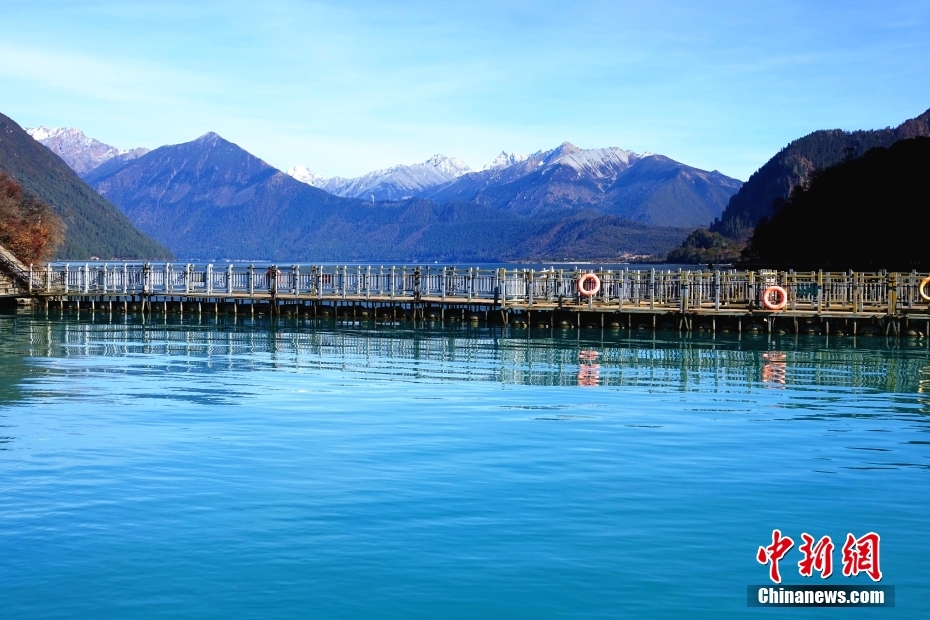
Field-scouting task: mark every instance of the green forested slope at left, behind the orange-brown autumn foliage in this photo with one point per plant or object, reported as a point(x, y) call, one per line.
point(94, 226)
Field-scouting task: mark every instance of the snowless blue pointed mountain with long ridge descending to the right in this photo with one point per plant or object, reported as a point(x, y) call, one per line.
point(211, 199)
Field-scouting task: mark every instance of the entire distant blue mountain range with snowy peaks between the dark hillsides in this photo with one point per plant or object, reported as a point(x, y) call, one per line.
point(211, 199)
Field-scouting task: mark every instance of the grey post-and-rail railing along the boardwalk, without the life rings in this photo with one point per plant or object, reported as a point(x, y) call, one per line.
point(718, 292)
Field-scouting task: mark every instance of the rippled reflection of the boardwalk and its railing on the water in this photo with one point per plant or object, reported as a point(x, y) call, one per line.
point(542, 357)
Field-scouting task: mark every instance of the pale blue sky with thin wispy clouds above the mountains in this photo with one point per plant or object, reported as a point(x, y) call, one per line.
point(347, 87)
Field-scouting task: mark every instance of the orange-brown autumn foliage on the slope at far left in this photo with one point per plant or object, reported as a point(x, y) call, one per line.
point(28, 227)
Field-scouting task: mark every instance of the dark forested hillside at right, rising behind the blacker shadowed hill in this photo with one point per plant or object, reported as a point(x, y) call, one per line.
point(794, 164)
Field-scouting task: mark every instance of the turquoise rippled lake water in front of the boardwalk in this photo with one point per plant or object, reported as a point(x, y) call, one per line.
point(246, 469)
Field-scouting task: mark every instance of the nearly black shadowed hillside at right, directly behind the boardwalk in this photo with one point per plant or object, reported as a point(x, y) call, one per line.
point(868, 213)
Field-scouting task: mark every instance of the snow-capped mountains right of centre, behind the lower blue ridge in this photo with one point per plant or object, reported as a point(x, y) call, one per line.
point(646, 188)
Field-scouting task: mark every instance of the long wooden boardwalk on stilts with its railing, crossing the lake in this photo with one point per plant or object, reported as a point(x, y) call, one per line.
point(629, 298)
